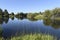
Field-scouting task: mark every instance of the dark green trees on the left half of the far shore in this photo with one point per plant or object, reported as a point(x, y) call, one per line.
point(11, 15)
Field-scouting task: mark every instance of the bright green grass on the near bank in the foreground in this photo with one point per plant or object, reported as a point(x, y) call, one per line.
point(34, 37)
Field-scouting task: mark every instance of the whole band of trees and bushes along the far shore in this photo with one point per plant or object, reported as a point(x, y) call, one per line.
point(46, 14)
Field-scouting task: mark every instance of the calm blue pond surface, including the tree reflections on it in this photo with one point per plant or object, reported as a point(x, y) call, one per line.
point(17, 27)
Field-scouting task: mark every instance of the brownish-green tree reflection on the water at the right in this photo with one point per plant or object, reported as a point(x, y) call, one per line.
point(54, 23)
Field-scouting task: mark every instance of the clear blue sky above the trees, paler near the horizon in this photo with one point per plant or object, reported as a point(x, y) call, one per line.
point(28, 5)
